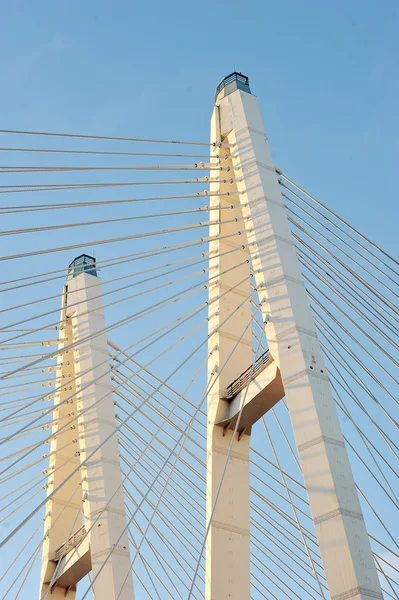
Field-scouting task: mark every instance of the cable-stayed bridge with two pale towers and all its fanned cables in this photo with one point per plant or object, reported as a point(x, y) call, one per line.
point(199, 382)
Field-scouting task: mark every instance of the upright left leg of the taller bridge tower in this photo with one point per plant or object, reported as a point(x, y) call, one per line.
point(227, 550)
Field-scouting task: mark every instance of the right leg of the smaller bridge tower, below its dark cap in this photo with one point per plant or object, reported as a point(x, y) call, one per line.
point(101, 475)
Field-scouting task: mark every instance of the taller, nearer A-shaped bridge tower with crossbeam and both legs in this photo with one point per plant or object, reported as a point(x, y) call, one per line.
point(293, 368)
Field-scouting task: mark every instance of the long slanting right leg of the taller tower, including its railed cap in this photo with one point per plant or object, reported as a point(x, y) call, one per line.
point(292, 340)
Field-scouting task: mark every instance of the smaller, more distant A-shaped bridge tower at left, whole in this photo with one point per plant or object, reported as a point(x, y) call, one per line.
point(84, 458)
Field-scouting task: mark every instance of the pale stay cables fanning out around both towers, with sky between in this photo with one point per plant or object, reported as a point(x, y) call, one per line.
point(152, 253)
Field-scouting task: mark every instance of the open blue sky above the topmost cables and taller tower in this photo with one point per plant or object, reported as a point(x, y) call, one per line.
point(326, 75)
